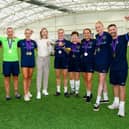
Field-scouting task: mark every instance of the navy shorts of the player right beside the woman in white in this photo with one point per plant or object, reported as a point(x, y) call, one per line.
point(61, 63)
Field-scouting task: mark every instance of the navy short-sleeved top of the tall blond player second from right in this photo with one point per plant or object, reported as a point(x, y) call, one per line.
point(102, 51)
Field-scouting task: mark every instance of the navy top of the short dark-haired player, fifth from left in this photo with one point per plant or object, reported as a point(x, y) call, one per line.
point(75, 52)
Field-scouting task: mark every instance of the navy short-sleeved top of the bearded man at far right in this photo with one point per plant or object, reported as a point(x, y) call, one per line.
point(119, 62)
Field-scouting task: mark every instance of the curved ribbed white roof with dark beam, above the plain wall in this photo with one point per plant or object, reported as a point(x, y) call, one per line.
point(18, 13)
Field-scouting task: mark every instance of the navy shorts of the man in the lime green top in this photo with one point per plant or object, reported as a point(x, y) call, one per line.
point(11, 68)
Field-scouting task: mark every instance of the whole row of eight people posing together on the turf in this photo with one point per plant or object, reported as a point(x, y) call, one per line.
point(107, 50)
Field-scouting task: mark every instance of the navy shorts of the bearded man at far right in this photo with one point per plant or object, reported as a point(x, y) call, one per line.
point(118, 77)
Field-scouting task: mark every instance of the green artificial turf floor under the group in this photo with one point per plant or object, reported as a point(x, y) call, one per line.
point(58, 112)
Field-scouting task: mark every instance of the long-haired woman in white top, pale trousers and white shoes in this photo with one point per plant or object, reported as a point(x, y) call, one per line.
point(43, 60)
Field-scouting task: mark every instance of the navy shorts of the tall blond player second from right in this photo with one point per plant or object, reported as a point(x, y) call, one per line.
point(102, 68)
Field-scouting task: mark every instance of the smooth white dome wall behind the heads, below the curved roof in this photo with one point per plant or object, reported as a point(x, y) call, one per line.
point(78, 21)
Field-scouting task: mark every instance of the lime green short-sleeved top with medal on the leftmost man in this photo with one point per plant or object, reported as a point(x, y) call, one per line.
point(10, 52)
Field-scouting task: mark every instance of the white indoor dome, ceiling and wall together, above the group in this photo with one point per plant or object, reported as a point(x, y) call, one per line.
point(68, 14)
